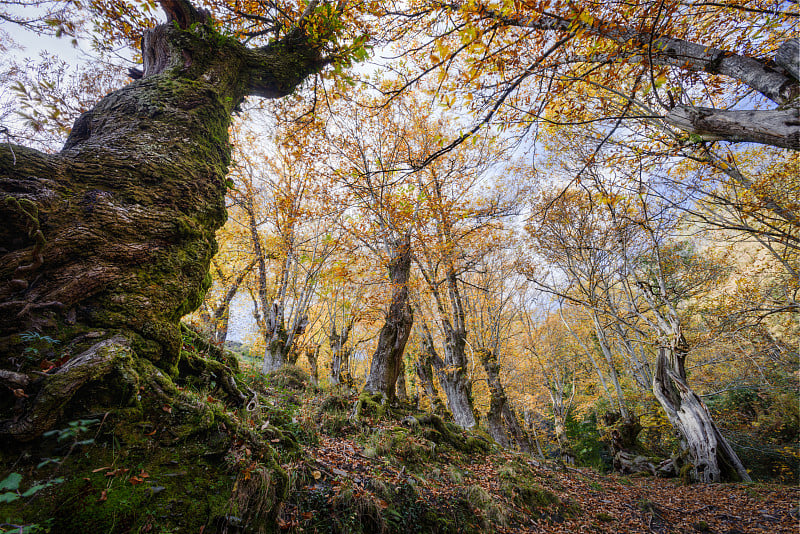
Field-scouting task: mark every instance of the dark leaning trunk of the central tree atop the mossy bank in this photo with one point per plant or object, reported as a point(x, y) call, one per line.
point(385, 366)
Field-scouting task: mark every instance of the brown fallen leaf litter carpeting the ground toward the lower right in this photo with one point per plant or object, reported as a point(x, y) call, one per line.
point(600, 502)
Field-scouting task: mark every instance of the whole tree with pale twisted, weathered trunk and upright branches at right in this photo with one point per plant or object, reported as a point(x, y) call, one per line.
point(660, 272)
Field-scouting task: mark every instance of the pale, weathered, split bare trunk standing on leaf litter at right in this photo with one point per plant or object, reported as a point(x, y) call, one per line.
point(712, 456)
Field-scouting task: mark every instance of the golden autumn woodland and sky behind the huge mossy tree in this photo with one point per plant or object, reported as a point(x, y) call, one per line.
point(566, 222)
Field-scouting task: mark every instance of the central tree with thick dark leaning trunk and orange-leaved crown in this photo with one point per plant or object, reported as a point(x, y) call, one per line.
point(367, 149)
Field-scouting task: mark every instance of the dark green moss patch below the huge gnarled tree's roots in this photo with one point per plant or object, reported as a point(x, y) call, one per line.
point(133, 490)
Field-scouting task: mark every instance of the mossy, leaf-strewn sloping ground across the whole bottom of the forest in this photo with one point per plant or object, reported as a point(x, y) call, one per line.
point(310, 464)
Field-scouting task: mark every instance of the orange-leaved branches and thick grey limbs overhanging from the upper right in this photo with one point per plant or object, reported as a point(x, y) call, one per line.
point(676, 71)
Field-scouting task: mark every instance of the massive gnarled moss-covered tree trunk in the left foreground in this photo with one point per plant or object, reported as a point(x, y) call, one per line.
point(108, 242)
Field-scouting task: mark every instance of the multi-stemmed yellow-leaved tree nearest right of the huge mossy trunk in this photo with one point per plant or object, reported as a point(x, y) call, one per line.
point(280, 192)
